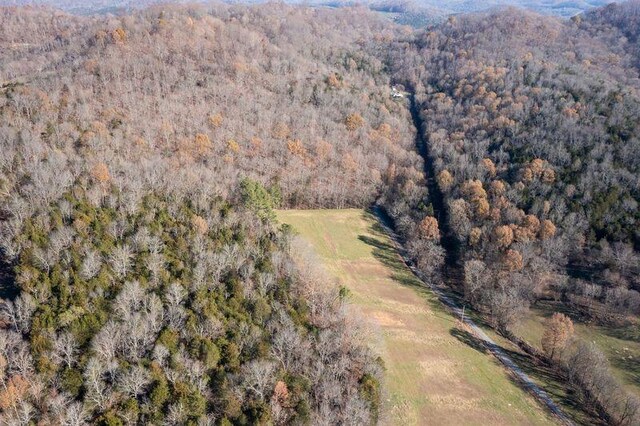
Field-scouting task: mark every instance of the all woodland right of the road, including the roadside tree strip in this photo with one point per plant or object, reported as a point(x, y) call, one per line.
point(532, 127)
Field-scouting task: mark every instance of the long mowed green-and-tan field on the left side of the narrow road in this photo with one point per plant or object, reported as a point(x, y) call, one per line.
point(436, 374)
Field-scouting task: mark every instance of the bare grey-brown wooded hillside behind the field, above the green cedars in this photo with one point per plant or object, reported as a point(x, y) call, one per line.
point(238, 86)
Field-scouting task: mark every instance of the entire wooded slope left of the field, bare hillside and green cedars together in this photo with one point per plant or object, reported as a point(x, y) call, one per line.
point(141, 158)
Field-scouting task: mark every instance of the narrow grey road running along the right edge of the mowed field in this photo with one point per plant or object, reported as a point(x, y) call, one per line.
point(491, 346)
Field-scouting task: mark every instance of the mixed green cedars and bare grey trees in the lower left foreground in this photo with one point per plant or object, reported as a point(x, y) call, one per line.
point(186, 310)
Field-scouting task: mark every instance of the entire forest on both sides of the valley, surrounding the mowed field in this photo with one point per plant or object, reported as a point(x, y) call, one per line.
point(145, 278)
